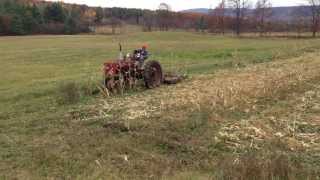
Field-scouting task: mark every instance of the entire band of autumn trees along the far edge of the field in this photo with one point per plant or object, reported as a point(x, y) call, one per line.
point(23, 17)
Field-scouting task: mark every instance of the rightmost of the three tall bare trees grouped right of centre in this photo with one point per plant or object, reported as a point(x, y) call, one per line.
point(263, 11)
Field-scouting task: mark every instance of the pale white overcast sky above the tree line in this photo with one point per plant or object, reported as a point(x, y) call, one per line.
point(175, 4)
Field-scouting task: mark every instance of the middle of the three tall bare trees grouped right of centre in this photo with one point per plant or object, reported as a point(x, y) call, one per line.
point(240, 7)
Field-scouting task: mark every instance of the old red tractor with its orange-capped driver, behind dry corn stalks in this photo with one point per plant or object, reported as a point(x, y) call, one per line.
point(125, 72)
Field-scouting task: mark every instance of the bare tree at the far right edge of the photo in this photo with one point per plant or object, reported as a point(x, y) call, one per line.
point(315, 12)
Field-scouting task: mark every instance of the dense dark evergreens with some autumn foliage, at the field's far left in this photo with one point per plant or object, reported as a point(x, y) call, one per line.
point(20, 17)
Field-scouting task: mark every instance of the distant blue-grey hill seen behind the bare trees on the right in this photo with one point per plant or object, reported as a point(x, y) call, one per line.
point(279, 13)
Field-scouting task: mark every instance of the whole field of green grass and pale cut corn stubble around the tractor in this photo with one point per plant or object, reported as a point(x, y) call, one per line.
point(249, 105)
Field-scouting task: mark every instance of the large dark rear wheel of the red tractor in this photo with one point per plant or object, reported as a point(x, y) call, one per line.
point(153, 74)
